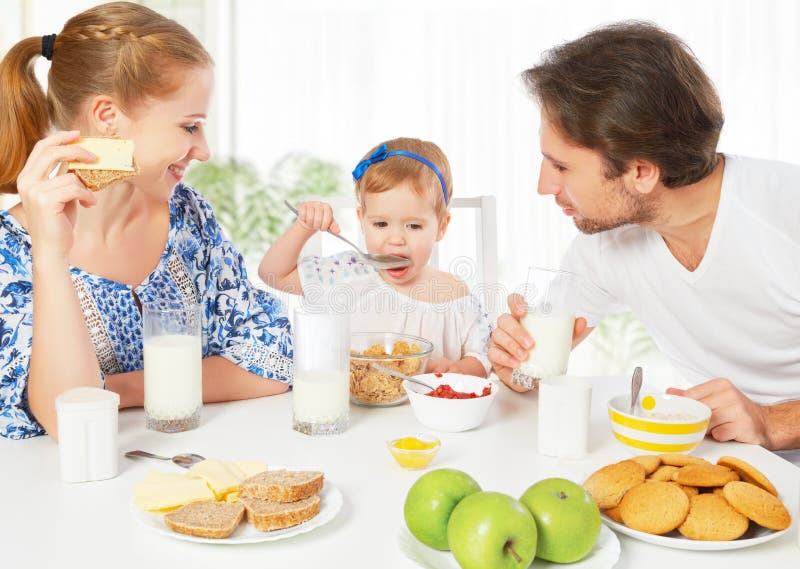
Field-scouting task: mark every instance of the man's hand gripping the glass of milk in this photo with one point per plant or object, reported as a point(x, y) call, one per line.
point(511, 343)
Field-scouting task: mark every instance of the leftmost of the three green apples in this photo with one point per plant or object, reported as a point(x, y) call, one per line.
point(431, 500)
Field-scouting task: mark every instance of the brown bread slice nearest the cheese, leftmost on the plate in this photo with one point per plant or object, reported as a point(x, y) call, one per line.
point(215, 520)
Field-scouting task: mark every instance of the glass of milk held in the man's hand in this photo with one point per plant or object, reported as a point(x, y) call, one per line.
point(551, 300)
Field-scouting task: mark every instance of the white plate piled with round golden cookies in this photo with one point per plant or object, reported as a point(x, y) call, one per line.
point(687, 502)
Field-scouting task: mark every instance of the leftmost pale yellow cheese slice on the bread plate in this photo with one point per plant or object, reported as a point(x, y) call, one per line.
point(165, 491)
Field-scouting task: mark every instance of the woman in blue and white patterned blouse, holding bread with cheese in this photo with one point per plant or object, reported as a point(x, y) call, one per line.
point(91, 260)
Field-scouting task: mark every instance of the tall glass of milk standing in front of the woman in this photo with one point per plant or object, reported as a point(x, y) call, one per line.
point(173, 374)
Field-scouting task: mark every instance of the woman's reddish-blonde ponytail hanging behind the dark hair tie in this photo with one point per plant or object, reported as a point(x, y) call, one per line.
point(24, 115)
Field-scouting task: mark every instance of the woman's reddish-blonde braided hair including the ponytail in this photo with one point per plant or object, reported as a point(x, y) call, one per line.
point(119, 49)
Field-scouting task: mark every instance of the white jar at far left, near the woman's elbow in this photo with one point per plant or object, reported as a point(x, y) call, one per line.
point(87, 434)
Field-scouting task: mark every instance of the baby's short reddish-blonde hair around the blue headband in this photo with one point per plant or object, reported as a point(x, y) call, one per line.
point(396, 170)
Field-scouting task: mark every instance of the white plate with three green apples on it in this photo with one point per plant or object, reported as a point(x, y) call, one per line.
point(554, 522)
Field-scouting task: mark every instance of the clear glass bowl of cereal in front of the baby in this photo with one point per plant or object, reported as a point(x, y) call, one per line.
point(398, 352)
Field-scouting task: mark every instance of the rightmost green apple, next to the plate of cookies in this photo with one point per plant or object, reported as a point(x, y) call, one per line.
point(567, 518)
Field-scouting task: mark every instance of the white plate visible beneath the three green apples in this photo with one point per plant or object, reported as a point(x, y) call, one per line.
point(604, 555)
